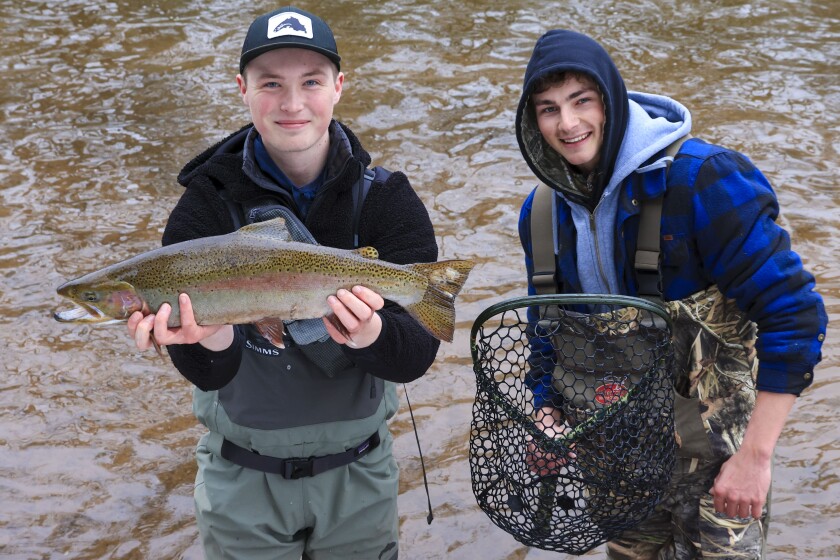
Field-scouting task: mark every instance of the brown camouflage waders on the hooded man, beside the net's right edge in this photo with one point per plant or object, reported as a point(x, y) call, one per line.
point(715, 361)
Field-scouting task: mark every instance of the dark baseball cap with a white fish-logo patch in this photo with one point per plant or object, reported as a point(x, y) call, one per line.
point(288, 27)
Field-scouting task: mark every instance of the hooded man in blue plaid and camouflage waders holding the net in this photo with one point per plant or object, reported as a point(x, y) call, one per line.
point(725, 267)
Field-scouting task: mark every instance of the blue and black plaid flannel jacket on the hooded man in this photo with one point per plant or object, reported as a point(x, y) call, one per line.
point(718, 227)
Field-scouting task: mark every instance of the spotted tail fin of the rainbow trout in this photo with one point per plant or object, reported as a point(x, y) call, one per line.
point(436, 311)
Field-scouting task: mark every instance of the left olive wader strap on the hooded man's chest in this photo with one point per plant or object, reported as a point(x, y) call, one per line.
point(542, 241)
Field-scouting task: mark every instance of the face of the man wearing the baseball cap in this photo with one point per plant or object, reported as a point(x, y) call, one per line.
point(291, 94)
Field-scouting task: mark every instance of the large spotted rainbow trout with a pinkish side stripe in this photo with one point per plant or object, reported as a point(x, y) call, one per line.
point(259, 275)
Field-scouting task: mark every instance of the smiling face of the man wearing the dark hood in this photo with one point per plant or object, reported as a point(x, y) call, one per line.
point(570, 116)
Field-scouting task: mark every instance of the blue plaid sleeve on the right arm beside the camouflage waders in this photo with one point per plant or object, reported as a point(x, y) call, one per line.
point(749, 256)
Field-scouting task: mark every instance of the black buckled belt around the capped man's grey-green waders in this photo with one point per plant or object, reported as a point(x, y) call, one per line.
point(296, 468)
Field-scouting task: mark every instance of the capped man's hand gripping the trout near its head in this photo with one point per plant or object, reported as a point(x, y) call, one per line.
point(152, 329)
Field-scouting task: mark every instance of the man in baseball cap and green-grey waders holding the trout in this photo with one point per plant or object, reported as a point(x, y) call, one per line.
point(298, 457)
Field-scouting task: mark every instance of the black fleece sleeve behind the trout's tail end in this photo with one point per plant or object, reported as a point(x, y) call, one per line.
point(395, 221)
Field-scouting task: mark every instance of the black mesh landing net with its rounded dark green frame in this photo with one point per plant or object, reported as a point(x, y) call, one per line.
point(572, 437)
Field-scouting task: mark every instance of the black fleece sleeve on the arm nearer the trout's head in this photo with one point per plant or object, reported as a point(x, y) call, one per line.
point(201, 213)
